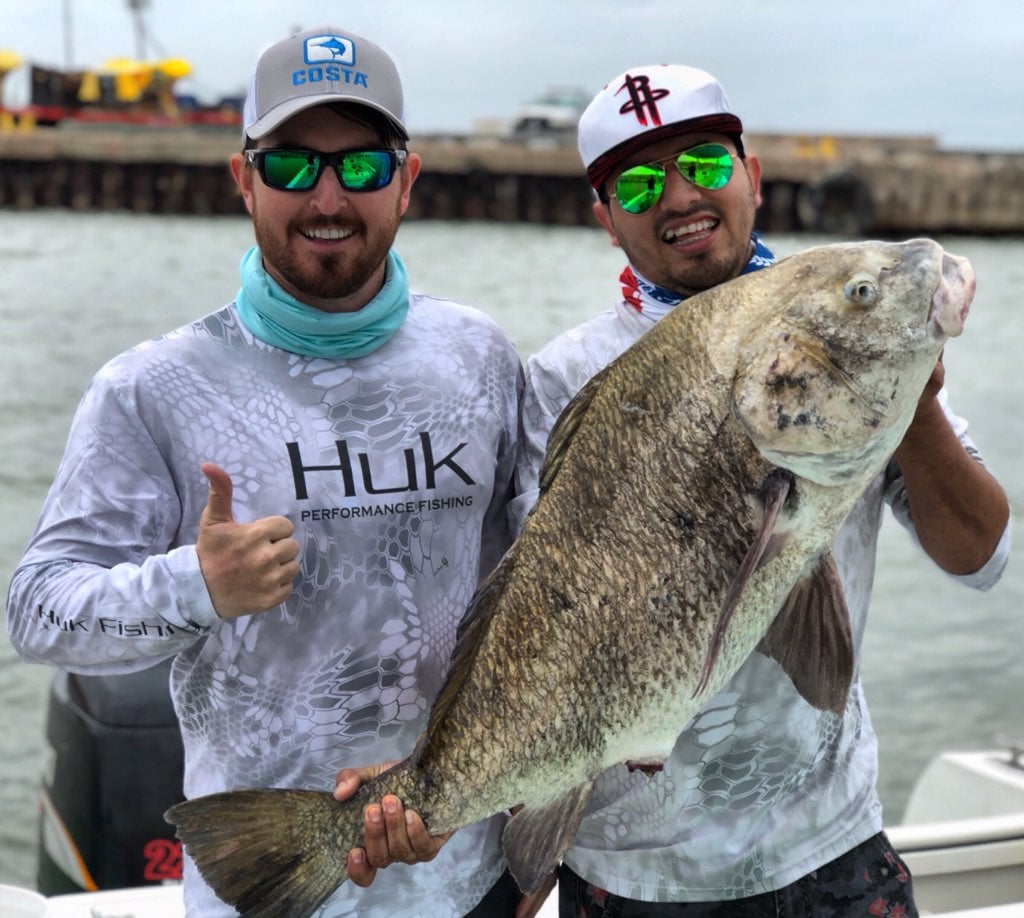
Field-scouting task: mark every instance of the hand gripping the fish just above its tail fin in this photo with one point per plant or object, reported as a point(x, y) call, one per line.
point(392, 833)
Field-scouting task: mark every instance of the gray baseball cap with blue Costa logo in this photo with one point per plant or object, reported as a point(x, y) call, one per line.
point(321, 66)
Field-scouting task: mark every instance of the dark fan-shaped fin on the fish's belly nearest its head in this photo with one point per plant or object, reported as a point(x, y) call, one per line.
point(812, 639)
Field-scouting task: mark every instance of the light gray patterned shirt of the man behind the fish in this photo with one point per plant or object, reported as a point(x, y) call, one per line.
point(761, 788)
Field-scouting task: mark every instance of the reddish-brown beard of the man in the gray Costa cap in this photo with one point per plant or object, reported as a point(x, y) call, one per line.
point(332, 276)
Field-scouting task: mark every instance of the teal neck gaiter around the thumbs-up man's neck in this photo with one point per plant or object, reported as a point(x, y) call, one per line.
point(278, 318)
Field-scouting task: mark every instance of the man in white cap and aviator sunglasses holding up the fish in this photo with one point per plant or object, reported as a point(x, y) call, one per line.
point(766, 806)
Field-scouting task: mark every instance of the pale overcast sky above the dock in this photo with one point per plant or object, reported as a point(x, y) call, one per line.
point(951, 69)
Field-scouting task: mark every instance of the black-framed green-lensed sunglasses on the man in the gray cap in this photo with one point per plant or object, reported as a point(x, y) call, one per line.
point(300, 171)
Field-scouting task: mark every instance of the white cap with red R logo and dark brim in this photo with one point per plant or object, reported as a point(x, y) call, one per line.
point(645, 105)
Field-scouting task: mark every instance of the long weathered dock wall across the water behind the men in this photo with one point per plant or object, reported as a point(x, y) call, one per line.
point(851, 186)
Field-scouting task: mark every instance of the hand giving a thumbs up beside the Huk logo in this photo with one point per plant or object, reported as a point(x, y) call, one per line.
point(248, 567)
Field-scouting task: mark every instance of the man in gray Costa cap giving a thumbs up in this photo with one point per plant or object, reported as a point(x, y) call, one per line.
point(283, 495)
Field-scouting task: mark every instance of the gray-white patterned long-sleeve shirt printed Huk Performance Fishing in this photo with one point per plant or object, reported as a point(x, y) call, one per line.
point(396, 471)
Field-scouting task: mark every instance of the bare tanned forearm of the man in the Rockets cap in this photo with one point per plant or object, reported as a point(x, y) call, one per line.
point(960, 512)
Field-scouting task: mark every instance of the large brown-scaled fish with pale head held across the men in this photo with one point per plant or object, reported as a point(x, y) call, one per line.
point(689, 499)
